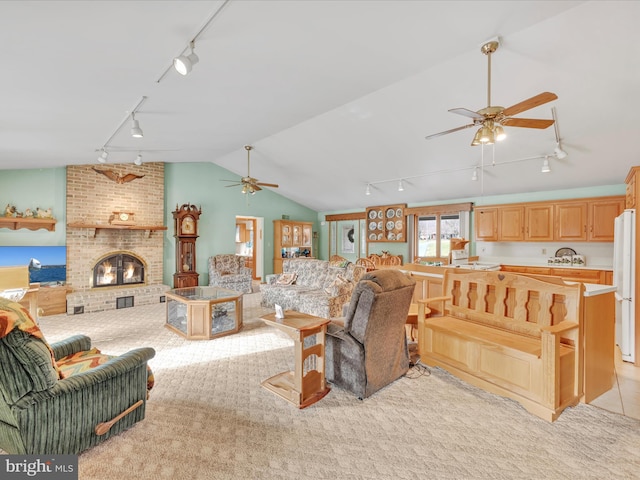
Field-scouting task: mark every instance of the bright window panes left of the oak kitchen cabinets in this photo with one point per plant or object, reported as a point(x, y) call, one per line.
point(435, 233)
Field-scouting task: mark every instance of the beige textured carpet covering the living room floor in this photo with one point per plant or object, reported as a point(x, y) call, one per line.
point(209, 418)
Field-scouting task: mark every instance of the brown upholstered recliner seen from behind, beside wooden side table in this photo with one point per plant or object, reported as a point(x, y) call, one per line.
point(369, 351)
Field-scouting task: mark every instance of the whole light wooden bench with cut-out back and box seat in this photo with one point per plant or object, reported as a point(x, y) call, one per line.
point(509, 334)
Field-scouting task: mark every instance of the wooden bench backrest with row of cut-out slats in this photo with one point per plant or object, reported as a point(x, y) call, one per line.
point(512, 302)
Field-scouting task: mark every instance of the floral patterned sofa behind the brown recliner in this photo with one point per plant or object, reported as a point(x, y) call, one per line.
point(316, 287)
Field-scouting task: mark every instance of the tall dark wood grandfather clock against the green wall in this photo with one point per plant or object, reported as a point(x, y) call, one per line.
point(185, 223)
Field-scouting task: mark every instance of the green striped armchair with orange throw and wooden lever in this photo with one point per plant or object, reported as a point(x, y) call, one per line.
point(62, 398)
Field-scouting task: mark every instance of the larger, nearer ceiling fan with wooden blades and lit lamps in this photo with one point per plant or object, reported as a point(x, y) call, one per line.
point(492, 119)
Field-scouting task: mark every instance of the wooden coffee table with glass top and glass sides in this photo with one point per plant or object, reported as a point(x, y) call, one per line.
point(203, 313)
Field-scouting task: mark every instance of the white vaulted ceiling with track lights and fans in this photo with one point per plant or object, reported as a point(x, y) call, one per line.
point(332, 94)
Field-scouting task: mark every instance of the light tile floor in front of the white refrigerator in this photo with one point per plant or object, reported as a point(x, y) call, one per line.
point(624, 397)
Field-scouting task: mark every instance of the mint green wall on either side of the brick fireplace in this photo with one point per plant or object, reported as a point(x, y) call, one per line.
point(195, 183)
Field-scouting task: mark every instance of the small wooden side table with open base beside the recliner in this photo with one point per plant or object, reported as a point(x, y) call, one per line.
point(296, 387)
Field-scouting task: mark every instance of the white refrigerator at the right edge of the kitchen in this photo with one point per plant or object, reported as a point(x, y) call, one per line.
point(624, 273)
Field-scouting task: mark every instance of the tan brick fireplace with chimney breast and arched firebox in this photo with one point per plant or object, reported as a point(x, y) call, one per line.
point(92, 199)
